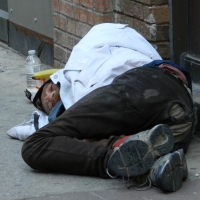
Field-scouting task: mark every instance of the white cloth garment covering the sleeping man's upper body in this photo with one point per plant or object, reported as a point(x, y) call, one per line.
point(106, 51)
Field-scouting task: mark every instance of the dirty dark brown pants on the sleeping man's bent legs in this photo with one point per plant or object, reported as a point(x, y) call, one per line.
point(135, 101)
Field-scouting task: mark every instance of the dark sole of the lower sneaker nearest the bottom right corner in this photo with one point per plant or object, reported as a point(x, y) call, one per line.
point(173, 172)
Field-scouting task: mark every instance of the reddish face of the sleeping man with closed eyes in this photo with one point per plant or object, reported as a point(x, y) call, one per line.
point(50, 96)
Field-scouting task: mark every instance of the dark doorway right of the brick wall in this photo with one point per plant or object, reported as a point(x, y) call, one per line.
point(185, 45)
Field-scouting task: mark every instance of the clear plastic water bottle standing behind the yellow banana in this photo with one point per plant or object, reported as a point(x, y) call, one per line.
point(33, 65)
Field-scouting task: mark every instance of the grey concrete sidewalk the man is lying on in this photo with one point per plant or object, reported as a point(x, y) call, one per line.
point(19, 181)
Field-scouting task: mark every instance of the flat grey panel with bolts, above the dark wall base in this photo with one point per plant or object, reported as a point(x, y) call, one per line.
point(33, 15)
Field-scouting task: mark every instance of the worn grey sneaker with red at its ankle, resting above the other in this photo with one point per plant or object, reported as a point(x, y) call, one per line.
point(136, 155)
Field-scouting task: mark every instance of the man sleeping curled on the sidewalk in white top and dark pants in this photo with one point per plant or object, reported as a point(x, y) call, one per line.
point(116, 109)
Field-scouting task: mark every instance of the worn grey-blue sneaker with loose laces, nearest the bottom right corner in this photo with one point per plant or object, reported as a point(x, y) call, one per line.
point(169, 171)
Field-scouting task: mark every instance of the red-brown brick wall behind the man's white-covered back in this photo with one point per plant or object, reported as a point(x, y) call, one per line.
point(74, 18)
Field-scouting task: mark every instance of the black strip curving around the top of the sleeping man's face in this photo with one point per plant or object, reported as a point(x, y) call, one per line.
point(37, 102)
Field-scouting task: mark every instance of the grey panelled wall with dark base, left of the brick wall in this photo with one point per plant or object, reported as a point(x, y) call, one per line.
point(27, 24)
